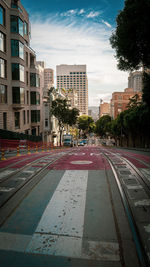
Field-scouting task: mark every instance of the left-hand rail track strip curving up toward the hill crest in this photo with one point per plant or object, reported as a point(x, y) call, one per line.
point(15, 185)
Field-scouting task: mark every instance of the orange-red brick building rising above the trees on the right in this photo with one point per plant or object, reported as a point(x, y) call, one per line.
point(120, 101)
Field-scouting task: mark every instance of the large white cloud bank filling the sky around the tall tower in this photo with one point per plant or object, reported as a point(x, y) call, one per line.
point(64, 41)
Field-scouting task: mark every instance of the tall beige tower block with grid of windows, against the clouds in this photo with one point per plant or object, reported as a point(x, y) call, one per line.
point(74, 77)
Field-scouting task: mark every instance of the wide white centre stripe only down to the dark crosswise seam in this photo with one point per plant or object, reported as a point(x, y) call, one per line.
point(64, 215)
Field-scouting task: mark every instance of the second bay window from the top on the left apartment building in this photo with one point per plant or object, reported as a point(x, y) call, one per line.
point(17, 49)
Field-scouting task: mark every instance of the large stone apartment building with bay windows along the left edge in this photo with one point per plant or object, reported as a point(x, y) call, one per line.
point(20, 78)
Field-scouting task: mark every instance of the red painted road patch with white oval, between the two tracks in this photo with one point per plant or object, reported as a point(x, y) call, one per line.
point(82, 159)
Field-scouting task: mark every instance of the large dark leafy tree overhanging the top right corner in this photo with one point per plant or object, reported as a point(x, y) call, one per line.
point(131, 37)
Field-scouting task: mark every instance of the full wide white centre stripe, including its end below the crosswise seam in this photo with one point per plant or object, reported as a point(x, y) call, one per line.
point(63, 217)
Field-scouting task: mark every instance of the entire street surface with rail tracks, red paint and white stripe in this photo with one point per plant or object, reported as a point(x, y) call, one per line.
point(83, 206)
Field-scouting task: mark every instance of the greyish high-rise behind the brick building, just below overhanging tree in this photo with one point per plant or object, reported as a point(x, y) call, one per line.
point(135, 81)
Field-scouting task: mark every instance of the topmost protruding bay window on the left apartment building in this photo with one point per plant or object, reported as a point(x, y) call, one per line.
point(16, 25)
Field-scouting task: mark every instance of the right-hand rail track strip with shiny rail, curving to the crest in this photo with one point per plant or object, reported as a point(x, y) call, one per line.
point(135, 194)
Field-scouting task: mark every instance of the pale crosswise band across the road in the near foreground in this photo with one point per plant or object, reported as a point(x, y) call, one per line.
point(60, 246)
